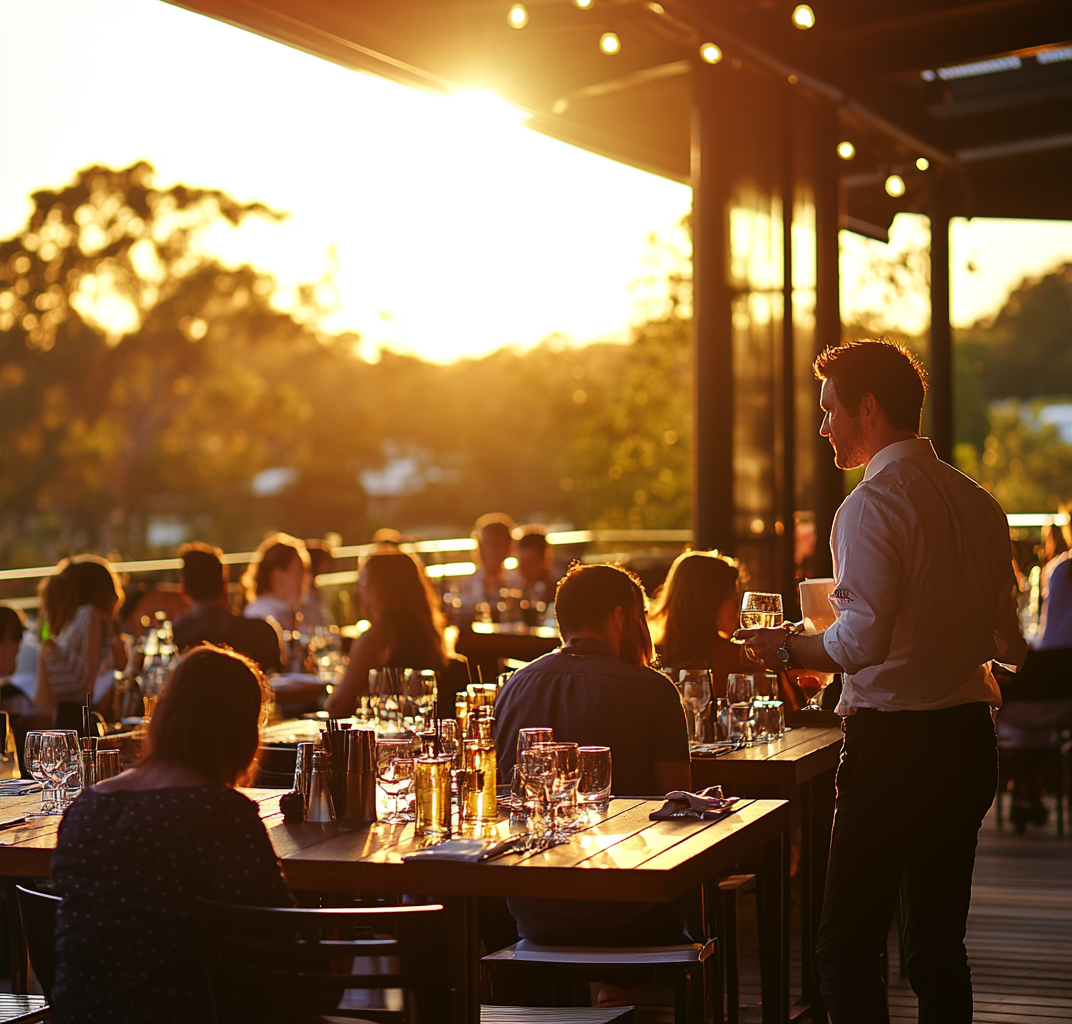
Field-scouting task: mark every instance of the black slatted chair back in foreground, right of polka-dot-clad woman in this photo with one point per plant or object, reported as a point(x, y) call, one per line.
point(269, 964)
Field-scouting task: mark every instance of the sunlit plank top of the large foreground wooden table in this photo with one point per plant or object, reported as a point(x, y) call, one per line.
point(624, 857)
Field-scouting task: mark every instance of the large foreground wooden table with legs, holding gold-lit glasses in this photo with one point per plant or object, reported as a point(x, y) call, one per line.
point(624, 857)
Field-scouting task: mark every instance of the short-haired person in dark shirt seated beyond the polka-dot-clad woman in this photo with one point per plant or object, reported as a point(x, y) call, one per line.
point(212, 621)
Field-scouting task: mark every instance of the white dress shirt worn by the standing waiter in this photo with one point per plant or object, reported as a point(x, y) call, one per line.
point(925, 587)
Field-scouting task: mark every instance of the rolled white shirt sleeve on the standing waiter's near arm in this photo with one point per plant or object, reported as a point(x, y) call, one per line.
point(869, 563)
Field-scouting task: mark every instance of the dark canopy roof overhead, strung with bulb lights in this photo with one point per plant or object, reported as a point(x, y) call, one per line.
point(981, 88)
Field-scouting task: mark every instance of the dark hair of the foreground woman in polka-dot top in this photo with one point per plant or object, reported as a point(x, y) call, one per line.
point(209, 717)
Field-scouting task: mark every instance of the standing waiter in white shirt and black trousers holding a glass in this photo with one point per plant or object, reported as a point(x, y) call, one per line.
point(926, 596)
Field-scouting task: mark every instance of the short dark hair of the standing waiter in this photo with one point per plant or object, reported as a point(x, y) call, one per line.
point(883, 368)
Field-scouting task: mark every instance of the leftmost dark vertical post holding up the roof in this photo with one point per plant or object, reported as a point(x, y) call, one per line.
point(712, 324)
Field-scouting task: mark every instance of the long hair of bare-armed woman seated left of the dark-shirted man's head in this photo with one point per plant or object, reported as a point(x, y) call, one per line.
point(405, 605)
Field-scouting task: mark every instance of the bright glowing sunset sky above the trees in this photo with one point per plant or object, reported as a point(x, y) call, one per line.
point(449, 228)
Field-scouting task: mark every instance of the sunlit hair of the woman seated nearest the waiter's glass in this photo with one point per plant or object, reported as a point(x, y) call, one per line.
point(687, 610)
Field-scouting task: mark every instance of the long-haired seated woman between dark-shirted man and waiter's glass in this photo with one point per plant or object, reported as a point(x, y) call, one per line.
point(695, 614)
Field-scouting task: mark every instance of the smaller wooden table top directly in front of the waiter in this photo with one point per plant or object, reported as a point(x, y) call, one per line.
point(797, 756)
